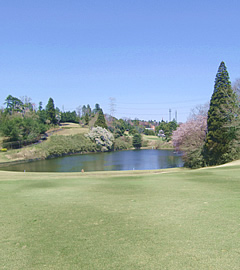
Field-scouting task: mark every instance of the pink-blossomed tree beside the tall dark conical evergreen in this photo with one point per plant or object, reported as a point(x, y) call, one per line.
point(189, 138)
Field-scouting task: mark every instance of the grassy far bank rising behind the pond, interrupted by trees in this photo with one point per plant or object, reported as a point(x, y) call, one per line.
point(70, 139)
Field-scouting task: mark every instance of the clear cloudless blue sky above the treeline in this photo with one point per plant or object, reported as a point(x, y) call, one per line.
point(151, 56)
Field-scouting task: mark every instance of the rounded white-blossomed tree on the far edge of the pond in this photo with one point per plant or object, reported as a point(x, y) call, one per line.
point(102, 137)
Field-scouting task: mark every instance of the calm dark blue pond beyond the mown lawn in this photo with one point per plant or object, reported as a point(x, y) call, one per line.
point(147, 159)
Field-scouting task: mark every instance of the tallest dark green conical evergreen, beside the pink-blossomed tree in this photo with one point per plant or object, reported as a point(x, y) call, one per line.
point(218, 147)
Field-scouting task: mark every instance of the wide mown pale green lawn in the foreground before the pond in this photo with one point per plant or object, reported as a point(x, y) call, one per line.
point(171, 219)
